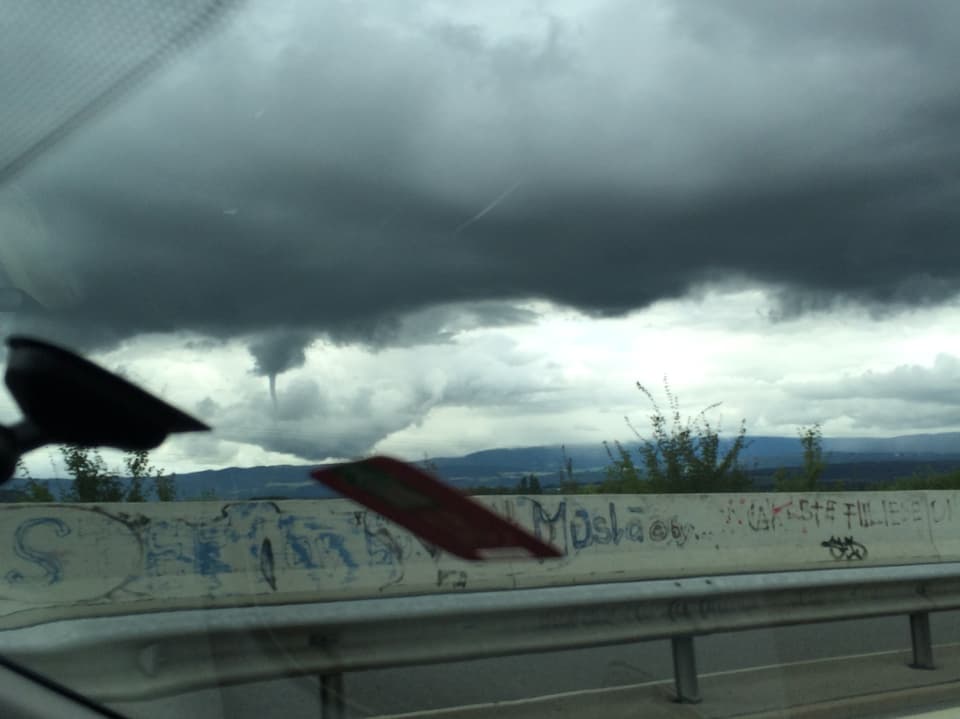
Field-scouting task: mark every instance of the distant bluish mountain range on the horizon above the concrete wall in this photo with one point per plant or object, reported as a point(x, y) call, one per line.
point(858, 461)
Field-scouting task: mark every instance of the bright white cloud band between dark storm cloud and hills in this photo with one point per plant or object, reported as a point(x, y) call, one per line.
point(563, 378)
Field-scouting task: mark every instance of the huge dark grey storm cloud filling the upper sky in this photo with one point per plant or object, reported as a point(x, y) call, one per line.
point(369, 174)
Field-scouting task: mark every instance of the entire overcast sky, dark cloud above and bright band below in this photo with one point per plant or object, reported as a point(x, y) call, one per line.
point(441, 227)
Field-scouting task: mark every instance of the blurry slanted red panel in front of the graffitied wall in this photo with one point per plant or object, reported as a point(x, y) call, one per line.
point(433, 510)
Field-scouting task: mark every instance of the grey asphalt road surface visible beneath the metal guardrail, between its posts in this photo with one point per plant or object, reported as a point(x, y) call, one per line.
point(428, 687)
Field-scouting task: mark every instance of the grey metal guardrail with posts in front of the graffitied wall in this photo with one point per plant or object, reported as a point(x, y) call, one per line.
point(139, 656)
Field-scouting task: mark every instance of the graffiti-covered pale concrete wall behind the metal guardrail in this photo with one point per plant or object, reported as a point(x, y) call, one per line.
point(68, 560)
